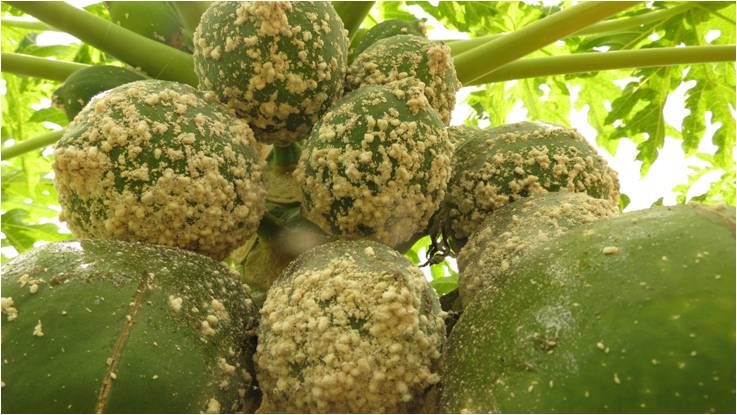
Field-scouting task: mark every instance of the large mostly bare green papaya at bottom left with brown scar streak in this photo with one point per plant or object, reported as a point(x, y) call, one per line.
point(109, 326)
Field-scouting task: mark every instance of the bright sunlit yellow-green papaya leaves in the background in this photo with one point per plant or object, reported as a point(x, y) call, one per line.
point(633, 110)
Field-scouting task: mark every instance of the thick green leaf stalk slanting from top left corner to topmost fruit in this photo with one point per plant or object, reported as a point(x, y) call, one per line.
point(156, 59)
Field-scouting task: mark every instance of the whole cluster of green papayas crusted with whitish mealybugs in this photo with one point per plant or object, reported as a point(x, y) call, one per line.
point(565, 304)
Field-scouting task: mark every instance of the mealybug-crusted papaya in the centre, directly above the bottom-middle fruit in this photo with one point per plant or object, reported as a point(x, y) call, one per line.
point(376, 165)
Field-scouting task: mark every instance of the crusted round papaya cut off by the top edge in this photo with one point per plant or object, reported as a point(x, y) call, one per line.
point(279, 65)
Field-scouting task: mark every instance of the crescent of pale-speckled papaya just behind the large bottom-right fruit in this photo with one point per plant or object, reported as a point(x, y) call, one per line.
point(514, 230)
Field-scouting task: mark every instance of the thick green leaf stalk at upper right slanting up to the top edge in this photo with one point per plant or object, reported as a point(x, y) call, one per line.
point(500, 51)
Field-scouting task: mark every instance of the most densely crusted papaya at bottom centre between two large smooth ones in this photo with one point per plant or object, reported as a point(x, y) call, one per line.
point(350, 326)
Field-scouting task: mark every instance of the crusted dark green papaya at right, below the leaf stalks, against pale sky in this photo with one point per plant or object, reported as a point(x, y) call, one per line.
point(496, 166)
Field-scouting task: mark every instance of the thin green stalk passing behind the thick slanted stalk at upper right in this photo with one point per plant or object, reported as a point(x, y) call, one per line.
point(606, 26)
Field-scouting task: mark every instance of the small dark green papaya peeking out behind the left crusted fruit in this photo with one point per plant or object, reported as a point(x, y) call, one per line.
point(82, 85)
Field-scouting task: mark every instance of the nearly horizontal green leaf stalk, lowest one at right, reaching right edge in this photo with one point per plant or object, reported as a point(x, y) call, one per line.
point(597, 61)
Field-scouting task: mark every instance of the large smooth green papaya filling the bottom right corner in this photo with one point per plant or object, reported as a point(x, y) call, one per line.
point(629, 314)
